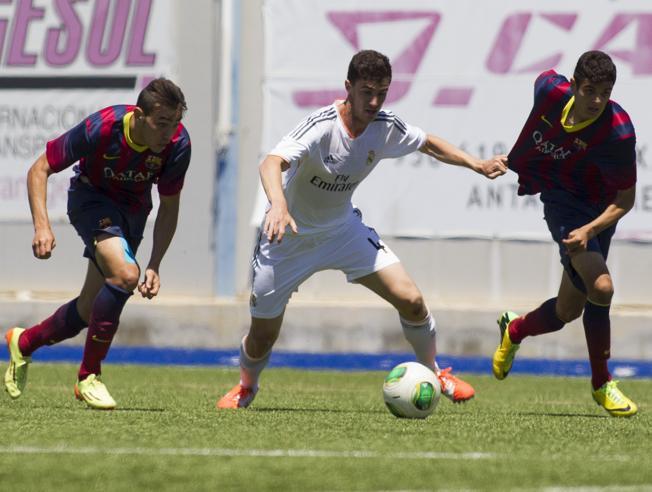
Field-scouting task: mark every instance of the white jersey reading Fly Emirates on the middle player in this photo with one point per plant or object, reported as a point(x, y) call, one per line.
point(327, 165)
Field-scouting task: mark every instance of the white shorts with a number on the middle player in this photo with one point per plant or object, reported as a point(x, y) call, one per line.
point(279, 269)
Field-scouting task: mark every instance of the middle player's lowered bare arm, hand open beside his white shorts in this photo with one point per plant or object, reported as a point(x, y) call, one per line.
point(277, 217)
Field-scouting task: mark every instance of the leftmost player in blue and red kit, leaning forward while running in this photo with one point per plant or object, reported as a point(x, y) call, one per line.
point(122, 150)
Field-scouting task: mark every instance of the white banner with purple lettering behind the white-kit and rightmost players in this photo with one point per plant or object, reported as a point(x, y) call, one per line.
point(464, 71)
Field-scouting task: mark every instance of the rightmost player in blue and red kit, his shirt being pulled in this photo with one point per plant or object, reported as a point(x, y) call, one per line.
point(577, 149)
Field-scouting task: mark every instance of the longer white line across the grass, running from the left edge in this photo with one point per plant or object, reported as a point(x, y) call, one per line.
point(257, 453)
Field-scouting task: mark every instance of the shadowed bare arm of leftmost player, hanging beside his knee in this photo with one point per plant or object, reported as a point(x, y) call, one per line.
point(164, 228)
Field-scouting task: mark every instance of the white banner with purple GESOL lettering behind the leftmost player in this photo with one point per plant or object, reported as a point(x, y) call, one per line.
point(62, 60)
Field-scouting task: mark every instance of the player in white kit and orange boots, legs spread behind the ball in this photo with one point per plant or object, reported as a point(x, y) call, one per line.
point(309, 179)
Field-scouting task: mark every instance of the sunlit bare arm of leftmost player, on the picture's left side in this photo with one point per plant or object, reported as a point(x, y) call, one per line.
point(37, 188)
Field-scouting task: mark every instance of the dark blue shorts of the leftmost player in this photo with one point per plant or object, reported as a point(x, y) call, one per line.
point(91, 214)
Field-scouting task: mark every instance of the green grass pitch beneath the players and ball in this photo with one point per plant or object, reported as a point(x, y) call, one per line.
point(310, 430)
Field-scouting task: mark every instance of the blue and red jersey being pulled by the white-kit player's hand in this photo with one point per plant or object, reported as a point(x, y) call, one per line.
point(591, 161)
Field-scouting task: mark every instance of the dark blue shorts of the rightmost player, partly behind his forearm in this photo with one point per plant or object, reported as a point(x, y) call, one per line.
point(563, 212)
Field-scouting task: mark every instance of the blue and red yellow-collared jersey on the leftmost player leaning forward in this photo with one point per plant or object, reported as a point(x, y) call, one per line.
point(116, 166)
